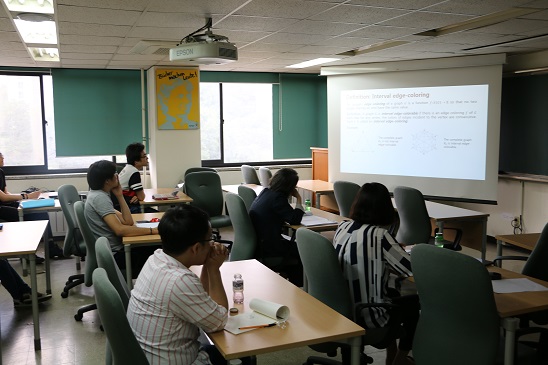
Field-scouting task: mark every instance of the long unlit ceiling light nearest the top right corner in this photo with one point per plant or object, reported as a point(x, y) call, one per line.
point(480, 22)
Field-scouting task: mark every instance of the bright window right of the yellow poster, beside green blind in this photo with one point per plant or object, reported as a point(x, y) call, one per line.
point(236, 122)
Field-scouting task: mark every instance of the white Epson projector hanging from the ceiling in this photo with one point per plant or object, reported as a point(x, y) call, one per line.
point(205, 53)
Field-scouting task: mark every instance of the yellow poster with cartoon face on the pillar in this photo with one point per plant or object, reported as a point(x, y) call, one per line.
point(178, 98)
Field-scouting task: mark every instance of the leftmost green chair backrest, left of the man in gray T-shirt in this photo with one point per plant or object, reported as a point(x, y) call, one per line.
point(74, 242)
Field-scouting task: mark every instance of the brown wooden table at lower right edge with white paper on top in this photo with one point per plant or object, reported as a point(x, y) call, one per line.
point(510, 305)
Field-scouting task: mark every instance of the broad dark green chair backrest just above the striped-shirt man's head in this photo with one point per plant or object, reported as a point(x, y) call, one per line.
point(204, 187)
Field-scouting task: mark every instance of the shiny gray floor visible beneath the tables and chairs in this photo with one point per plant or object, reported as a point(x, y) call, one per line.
point(65, 341)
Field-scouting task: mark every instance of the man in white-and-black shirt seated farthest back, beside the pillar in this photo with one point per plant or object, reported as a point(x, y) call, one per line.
point(130, 178)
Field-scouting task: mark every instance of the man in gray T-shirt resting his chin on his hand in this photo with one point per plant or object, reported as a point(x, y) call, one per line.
point(105, 221)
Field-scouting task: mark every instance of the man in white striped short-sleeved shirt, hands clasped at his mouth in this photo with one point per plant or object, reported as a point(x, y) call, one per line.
point(169, 303)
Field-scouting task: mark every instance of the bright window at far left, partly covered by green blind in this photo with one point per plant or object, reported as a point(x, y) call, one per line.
point(28, 127)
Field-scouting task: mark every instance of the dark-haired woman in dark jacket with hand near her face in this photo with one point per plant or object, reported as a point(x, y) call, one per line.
point(270, 211)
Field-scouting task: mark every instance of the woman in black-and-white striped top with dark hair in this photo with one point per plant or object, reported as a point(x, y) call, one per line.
point(366, 251)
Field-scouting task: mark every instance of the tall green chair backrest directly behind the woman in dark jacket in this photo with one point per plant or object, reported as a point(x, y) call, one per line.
point(245, 238)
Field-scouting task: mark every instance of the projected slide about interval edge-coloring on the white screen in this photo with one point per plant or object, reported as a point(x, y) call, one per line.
point(435, 132)
